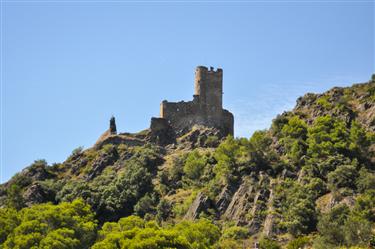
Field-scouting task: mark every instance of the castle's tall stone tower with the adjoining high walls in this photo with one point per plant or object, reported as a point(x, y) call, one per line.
point(205, 109)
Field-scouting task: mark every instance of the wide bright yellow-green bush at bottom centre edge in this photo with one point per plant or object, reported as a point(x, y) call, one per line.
point(133, 232)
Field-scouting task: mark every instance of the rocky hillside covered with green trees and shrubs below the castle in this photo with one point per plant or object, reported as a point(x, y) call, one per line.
point(308, 181)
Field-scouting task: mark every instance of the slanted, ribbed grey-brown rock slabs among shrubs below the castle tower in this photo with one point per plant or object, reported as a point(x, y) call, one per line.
point(243, 205)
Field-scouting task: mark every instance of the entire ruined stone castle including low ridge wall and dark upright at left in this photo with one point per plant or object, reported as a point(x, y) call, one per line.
point(178, 118)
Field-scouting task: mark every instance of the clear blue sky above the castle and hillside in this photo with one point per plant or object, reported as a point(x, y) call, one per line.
point(67, 66)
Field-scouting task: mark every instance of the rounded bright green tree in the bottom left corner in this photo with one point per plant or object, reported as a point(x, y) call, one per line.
point(67, 225)
